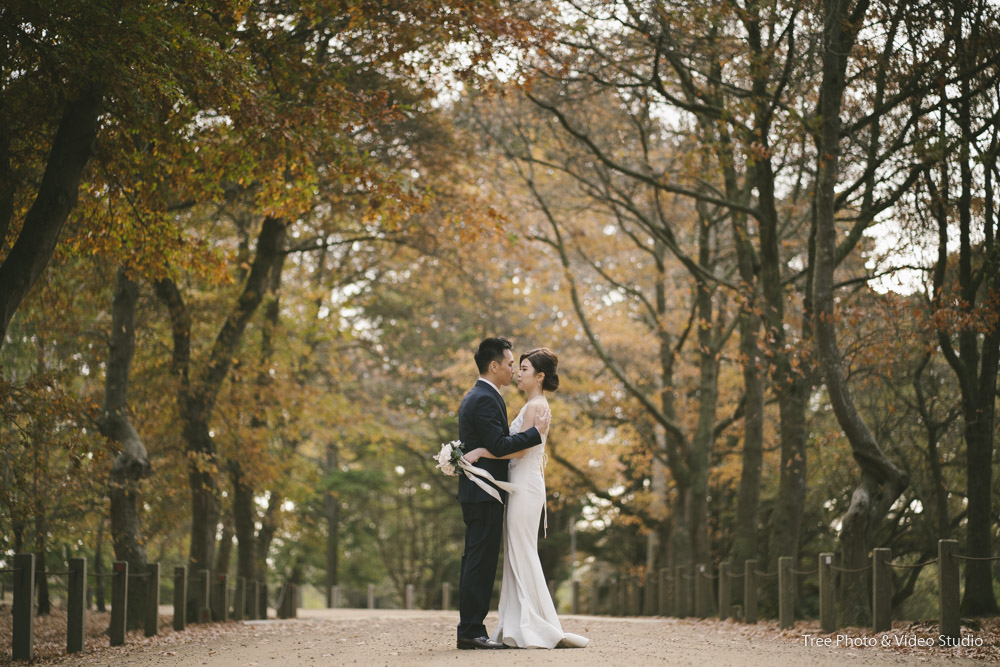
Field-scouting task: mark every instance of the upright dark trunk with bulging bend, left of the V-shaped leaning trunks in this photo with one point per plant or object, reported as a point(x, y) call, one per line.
point(131, 464)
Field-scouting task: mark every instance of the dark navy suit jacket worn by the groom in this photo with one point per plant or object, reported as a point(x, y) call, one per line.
point(482, 422)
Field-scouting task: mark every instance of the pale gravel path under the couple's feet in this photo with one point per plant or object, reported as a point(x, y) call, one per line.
point(393, 637)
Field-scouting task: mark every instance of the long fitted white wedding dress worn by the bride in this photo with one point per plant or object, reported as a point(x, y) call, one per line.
point(527, 615)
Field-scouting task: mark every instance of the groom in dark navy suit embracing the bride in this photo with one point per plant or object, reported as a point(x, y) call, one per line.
point(482, 422)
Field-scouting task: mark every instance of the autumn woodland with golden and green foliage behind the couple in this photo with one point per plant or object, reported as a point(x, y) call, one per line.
point(248, 250)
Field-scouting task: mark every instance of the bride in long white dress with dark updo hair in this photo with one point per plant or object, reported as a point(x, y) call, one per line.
point(527, 615)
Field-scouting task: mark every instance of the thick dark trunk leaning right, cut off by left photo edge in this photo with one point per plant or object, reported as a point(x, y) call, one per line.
point(57, 194)
